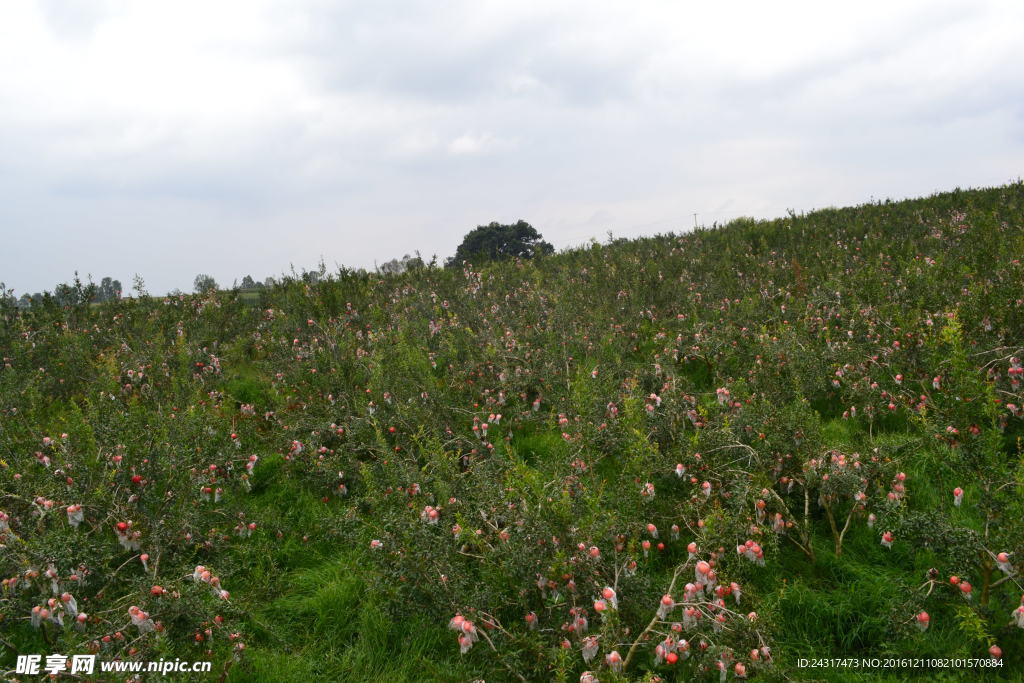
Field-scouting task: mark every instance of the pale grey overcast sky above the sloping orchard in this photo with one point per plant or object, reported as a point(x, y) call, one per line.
point(234, 138)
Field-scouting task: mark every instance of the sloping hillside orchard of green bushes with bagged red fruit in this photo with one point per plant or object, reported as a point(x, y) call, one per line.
point(751, 435)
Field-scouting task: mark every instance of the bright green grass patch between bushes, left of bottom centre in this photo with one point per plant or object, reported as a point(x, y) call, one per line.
point(313, 616)
